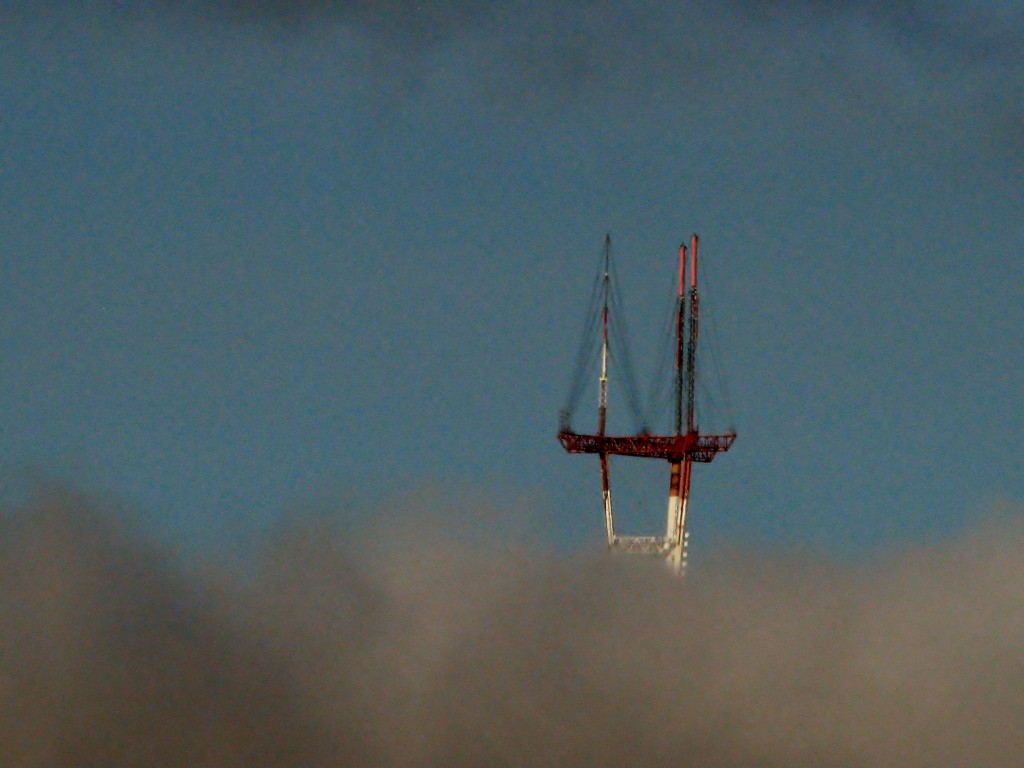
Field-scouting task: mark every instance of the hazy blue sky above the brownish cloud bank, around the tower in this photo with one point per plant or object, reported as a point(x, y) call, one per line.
point(265, 257)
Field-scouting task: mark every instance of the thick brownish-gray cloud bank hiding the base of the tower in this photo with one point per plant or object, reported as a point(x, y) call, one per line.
point(337, 652)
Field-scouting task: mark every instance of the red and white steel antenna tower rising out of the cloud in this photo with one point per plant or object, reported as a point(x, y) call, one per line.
point(680, 450)
